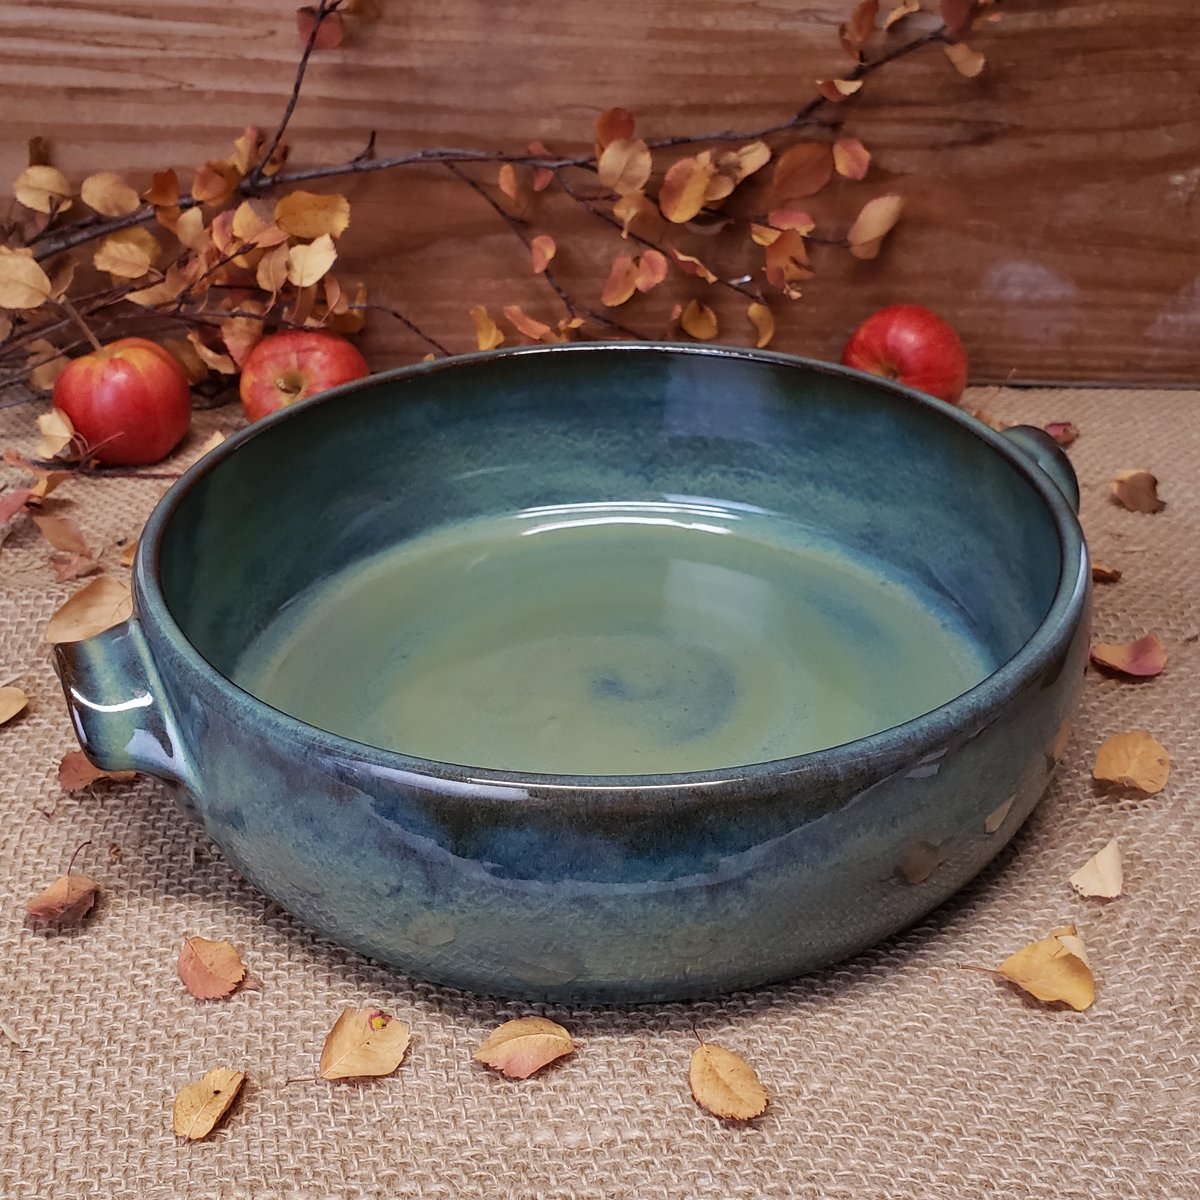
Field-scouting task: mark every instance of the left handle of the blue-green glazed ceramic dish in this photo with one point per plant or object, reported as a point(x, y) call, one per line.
point(116, 699)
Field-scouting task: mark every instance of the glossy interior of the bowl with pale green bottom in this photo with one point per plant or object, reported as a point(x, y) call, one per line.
point(743, 549)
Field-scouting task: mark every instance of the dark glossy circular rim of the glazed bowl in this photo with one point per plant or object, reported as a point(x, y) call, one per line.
point(883, 752)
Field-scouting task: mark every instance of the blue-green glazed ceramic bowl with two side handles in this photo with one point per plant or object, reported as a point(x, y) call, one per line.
point(759, 661)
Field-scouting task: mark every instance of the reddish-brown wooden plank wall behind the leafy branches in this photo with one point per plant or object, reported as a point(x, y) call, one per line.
point(1053, 202)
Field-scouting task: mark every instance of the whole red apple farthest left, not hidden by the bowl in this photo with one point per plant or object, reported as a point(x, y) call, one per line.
point(129, 401)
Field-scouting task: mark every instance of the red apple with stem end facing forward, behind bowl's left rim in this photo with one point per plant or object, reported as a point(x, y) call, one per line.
point(286, 368)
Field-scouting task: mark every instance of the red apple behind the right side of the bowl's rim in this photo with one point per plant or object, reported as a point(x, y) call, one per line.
point(914, 346)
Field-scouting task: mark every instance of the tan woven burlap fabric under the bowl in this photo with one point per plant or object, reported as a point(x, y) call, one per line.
point(895, 1076)
